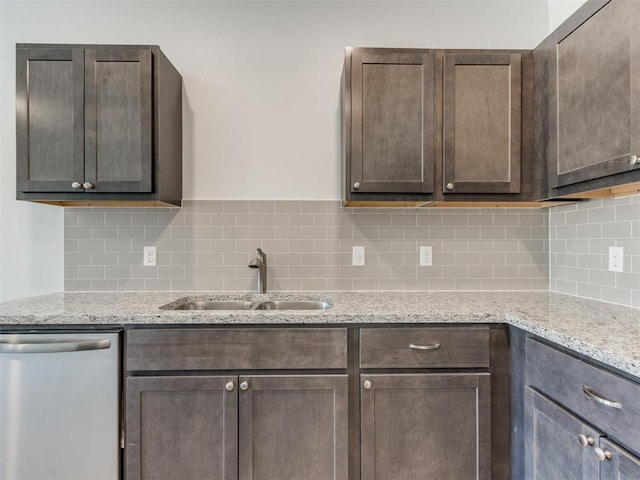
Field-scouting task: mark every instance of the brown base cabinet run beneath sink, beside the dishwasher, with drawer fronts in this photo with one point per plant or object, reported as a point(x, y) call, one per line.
point(293, 403)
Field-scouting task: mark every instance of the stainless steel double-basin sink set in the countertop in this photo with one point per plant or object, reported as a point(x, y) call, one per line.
point(188, 304)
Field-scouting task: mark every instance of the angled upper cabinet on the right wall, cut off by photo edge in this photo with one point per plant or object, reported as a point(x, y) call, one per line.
point(588, 105)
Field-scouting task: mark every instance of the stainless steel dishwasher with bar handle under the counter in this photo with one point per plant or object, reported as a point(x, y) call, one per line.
point(59, 406)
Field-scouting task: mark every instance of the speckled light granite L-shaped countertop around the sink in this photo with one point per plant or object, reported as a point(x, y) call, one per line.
point(608, 333)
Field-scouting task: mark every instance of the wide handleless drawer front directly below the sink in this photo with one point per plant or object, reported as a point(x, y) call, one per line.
point(230, 349)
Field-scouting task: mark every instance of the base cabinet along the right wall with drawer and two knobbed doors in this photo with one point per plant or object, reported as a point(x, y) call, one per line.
point(576, 417)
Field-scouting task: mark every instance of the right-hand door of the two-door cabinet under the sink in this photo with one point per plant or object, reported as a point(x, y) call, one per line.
point(293, 427)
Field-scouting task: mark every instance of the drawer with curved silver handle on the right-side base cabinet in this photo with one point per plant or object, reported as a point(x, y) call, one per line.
point(565, 378)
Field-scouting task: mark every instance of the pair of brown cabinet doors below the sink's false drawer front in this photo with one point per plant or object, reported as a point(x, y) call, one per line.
point(229, 427)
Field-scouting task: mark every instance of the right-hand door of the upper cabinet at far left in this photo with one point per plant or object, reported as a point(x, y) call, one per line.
point(118, 120)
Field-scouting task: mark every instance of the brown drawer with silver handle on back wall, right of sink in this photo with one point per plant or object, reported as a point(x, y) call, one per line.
point(424, 347)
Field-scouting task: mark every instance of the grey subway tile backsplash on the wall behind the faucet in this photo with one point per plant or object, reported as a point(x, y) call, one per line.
point(206, 245)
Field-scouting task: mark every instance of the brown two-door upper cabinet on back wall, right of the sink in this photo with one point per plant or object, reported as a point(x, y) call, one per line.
point(424, 127)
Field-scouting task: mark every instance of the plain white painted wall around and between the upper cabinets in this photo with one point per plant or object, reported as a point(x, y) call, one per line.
point(261, 92)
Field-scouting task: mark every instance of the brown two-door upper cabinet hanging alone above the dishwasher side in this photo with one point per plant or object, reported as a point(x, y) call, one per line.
point(98, 125)
